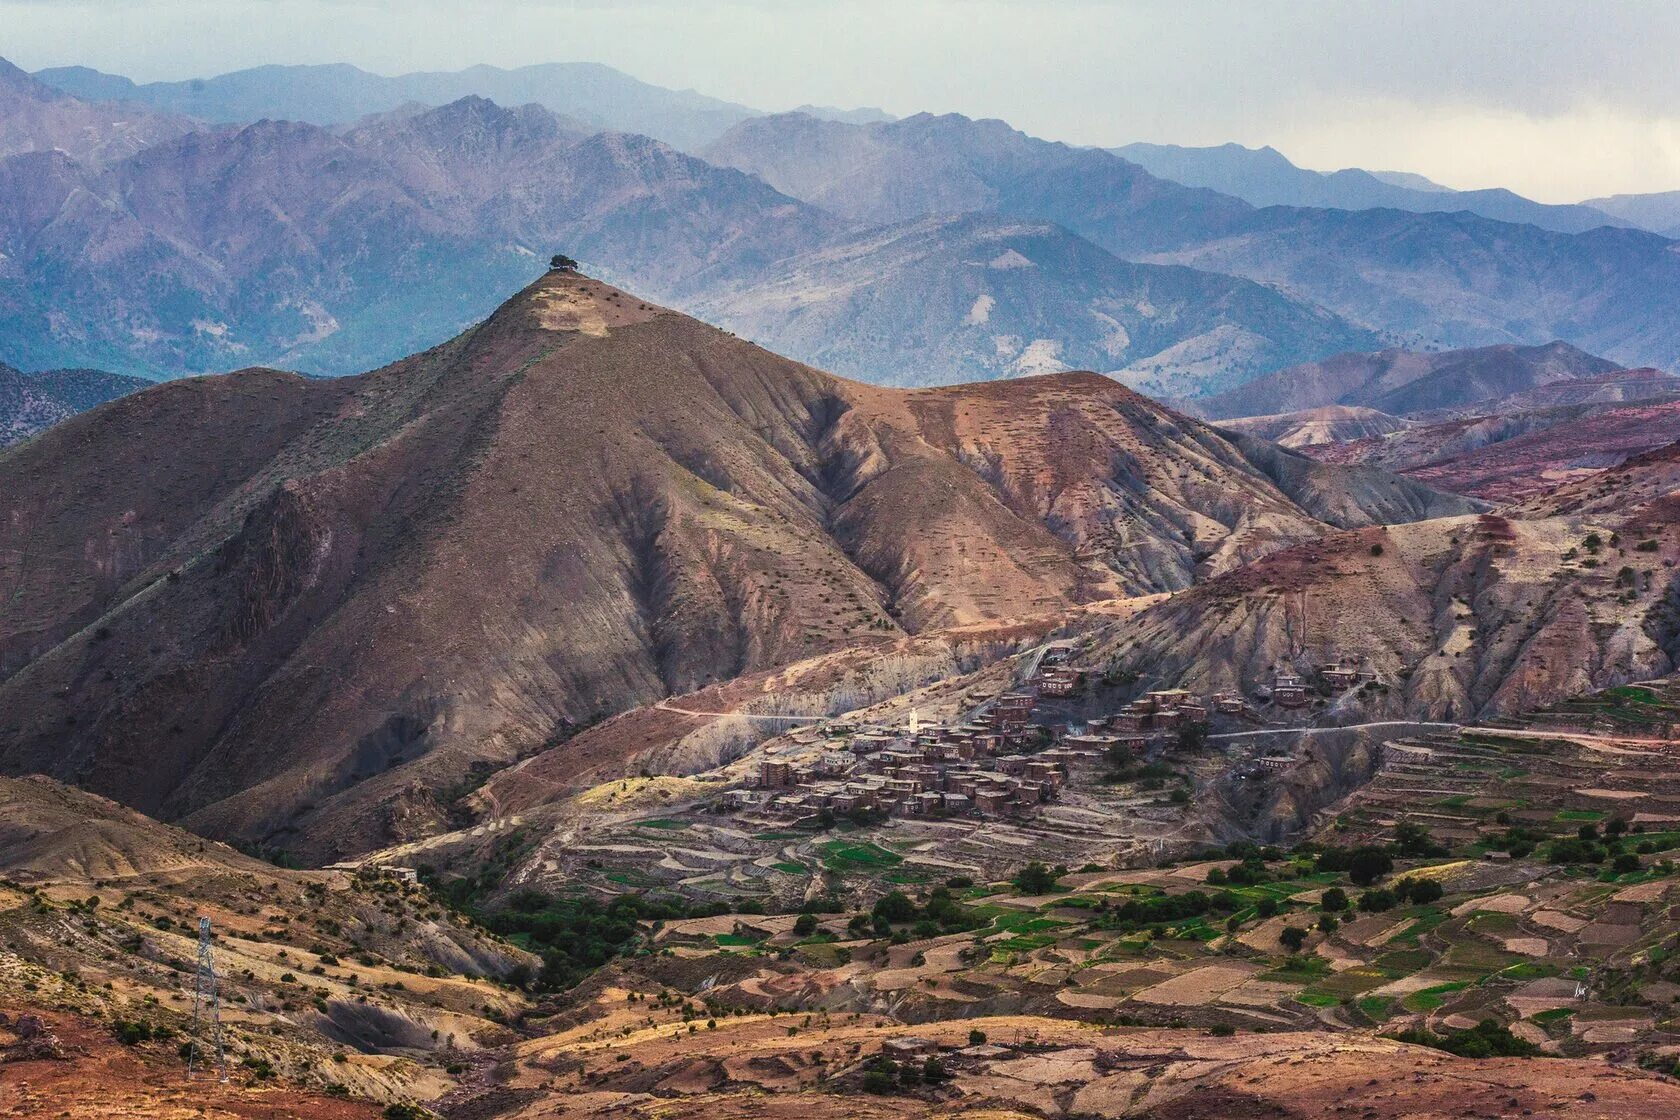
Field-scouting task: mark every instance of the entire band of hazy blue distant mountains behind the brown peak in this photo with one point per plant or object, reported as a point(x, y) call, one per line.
point(384, 236)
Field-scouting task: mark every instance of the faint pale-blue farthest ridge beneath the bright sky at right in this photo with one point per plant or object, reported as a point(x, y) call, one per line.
point(1268, 179)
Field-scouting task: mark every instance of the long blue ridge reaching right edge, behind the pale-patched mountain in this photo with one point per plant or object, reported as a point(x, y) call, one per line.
point(1425, 281)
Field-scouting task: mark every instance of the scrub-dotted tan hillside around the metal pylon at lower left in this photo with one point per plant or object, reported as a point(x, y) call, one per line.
point(100, 916)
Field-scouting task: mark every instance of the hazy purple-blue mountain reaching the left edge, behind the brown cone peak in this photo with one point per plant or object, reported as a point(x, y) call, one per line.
point(335, 251)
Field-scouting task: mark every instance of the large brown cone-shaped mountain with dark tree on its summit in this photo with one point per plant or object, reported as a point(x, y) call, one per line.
point(290, 610)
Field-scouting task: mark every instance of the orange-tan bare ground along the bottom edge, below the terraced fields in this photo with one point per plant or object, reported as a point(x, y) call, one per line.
point(629, 1060)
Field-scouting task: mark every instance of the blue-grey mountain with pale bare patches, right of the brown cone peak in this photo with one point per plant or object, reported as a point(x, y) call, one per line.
point(977, 296)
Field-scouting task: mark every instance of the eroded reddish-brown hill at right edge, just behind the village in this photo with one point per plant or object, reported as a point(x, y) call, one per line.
point(1459, 617)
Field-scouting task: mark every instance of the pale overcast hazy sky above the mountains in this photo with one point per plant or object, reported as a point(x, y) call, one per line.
point(1558, 102)
